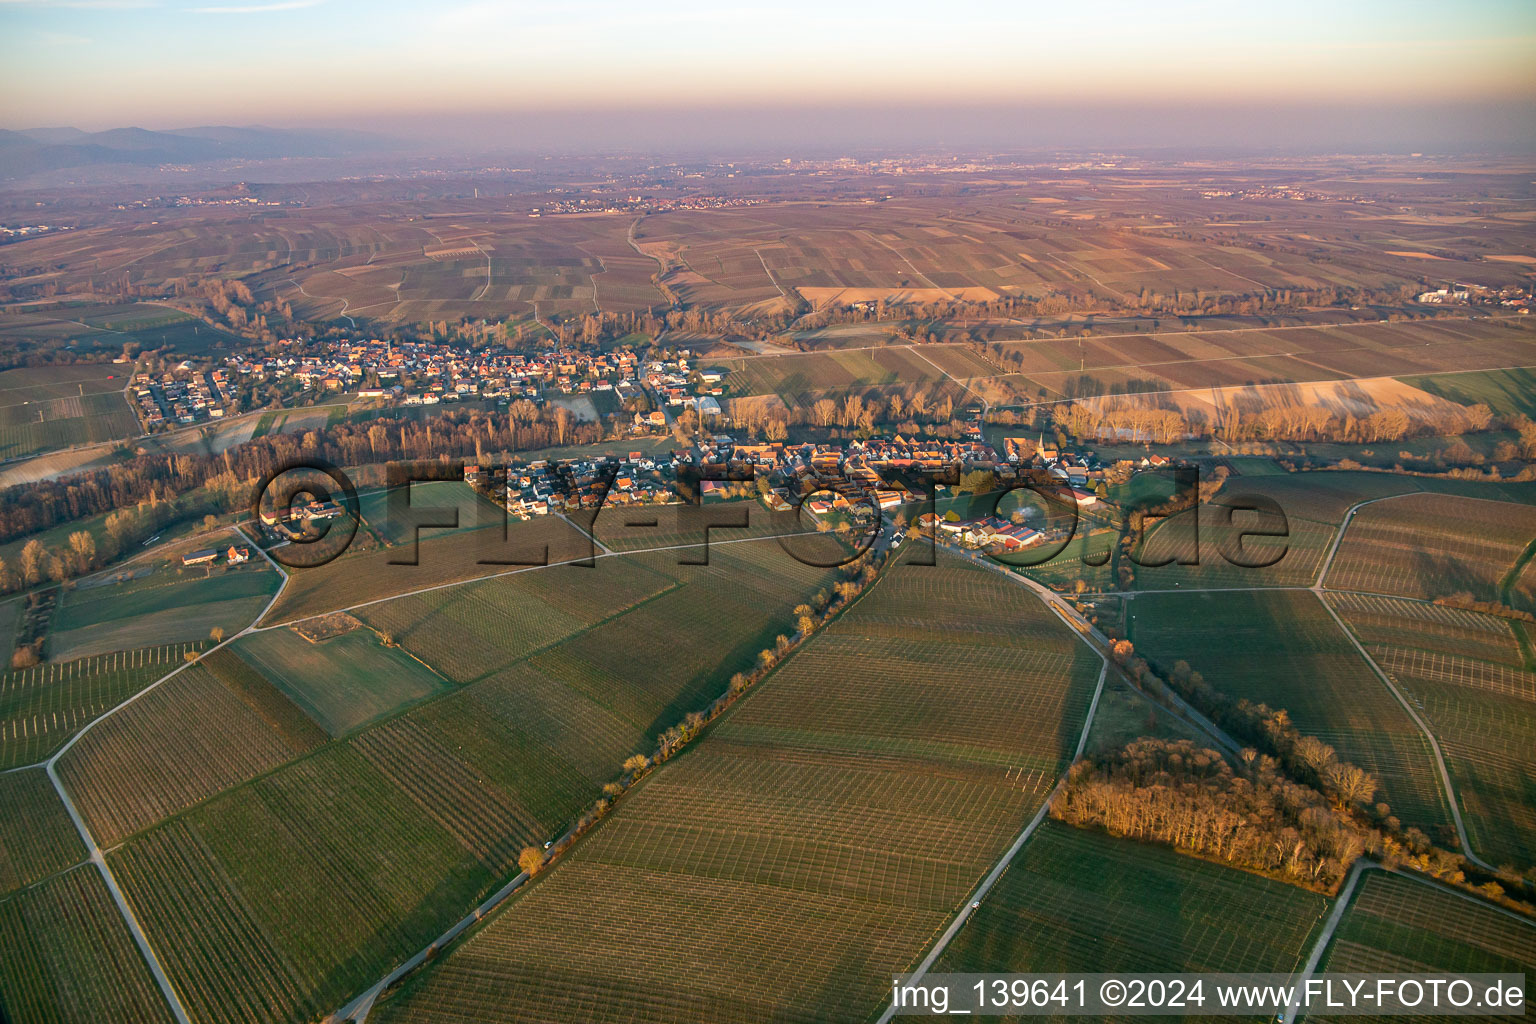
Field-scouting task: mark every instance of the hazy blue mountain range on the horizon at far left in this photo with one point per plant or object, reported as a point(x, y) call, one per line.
point(48, 150)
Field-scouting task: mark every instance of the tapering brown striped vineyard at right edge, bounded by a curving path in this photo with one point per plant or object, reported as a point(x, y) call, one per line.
point(1466, 675)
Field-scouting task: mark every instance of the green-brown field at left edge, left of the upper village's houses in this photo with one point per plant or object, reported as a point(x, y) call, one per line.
point(58, 408)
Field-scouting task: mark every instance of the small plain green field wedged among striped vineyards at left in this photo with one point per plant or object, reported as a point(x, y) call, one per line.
point(345, 682)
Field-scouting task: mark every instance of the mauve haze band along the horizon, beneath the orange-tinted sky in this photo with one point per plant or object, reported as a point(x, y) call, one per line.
point(818, 131)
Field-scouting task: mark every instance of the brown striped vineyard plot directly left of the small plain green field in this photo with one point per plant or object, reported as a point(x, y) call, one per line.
point(188, 739)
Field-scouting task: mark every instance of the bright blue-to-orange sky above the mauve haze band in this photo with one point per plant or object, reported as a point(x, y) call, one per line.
point(102, 64)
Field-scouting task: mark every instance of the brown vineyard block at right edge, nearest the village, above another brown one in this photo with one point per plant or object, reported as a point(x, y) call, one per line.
point(1434, 546)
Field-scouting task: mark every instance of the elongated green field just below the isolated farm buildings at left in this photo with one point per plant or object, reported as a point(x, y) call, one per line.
point(164, 607)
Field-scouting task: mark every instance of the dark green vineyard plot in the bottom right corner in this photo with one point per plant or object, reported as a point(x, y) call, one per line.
point(1399, 925)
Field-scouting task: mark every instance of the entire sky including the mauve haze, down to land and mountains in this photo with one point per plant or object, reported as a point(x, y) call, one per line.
point(1097, 73)
